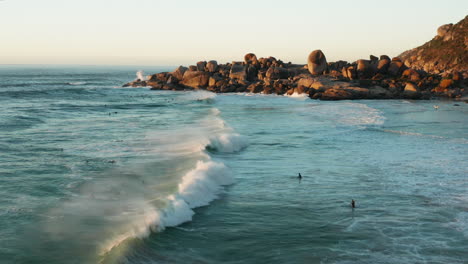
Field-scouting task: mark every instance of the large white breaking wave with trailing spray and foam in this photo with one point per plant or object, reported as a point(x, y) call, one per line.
point(180, 172)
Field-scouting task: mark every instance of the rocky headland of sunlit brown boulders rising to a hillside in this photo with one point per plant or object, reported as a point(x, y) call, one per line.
point(374, 78)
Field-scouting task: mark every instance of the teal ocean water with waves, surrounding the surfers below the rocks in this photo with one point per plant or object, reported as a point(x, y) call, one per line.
point(94, 173)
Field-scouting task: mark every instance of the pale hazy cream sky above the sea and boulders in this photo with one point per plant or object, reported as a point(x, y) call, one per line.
point(154, 32)
